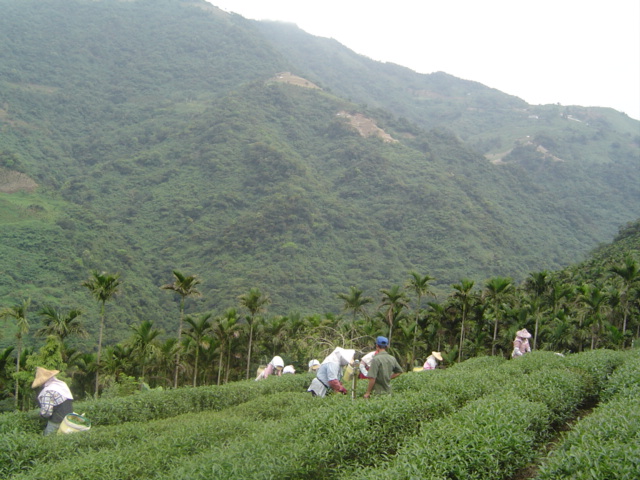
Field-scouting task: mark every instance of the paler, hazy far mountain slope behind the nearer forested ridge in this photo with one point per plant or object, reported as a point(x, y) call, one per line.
point(587, 159)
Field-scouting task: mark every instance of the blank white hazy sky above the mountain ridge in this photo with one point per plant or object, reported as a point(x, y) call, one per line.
point(572, 52)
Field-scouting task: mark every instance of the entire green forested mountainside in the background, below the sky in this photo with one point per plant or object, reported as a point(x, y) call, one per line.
point(147, 136)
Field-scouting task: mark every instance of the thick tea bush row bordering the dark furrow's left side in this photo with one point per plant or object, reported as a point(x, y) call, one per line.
point(497, 434)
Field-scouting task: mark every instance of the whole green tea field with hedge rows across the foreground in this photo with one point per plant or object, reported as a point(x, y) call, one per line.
point(574, 417)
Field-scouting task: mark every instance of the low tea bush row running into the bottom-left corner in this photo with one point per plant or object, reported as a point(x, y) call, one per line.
point(142, 450)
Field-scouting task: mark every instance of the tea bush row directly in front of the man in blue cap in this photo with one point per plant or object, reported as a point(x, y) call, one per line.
point(337, 434)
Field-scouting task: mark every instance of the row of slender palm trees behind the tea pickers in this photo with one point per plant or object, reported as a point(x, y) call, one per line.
point(566, 311)
